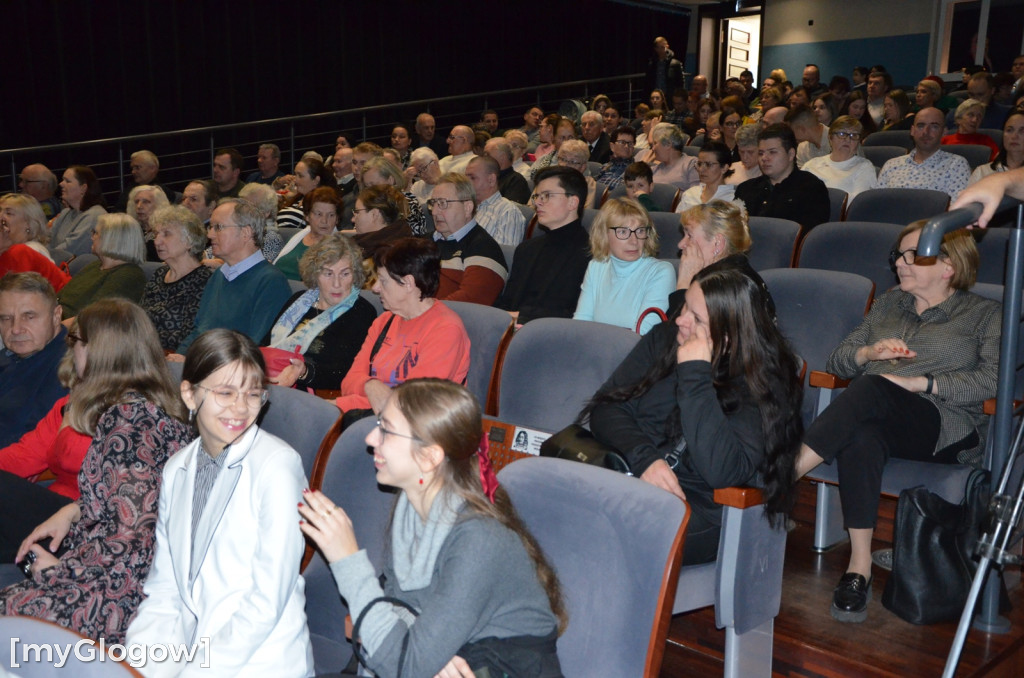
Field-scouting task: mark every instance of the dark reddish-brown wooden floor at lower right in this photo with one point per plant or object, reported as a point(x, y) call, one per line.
point(809, 644)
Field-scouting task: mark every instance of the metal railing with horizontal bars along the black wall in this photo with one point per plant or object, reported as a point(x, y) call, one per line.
point(188, 154)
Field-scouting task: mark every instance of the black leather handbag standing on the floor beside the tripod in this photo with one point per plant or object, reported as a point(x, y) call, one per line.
point(933, 546)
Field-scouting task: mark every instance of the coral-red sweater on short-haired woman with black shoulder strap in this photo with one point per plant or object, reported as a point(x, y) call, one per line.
point(435, 345)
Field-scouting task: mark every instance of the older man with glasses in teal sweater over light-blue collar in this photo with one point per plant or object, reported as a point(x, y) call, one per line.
point(247, 292)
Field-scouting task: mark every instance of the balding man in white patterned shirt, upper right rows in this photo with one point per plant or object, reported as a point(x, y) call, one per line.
point(927, 166)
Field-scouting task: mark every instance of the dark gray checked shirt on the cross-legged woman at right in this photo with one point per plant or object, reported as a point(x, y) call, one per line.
point(957, 343)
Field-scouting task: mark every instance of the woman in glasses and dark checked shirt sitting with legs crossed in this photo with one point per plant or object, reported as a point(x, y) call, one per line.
point(923, 362)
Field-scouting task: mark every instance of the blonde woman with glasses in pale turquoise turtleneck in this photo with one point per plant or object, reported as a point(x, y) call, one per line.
point(624, 278)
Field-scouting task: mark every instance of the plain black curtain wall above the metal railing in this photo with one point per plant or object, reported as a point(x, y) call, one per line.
point(81, 70)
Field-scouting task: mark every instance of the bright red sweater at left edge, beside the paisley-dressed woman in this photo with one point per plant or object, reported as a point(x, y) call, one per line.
point(50, 448)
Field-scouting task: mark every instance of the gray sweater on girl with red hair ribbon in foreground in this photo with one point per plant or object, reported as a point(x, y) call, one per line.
point(483, 584)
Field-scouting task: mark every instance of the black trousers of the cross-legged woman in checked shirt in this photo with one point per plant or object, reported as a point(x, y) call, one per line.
point(870, 422)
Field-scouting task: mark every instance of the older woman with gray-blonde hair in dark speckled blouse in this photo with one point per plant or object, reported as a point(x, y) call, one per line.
point(172, 296)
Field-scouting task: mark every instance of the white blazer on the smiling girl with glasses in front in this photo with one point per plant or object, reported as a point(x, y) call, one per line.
point(245, 592)
